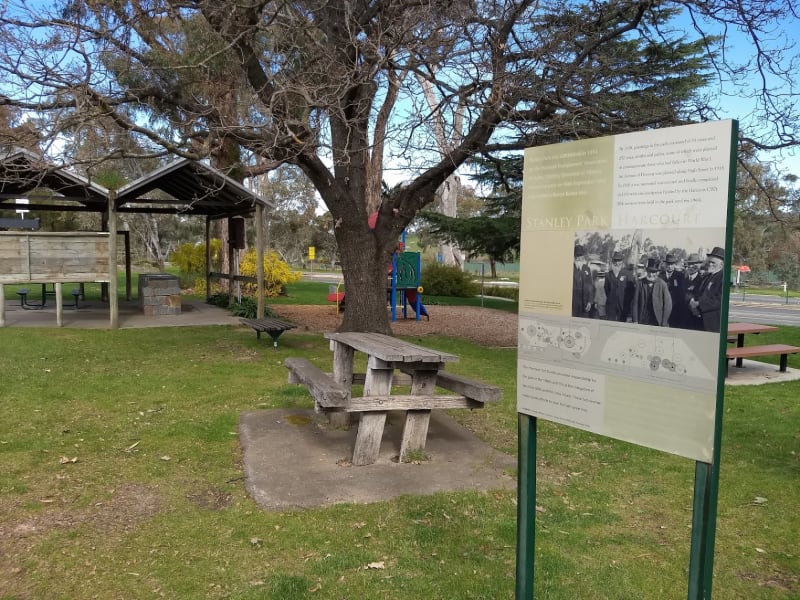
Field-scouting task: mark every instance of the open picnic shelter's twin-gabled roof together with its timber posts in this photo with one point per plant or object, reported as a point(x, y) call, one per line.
point(182, 187)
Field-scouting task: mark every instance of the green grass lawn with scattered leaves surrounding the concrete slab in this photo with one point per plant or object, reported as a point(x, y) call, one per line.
point(120, 477)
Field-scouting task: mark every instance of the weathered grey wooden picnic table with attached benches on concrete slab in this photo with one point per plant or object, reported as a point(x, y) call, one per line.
point(389, 360)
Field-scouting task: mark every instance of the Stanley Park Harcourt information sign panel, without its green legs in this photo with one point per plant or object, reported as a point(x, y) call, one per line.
point(621, 284)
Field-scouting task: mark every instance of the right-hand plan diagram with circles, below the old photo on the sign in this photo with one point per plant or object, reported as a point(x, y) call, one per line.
point(660, 354)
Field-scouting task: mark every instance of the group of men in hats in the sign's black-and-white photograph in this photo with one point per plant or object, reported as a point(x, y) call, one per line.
point(686, 294)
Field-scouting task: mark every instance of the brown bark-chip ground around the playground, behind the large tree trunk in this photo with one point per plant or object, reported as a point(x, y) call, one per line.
point(484, 326)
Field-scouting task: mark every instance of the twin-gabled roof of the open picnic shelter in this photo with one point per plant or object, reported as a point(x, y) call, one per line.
point(183, 187)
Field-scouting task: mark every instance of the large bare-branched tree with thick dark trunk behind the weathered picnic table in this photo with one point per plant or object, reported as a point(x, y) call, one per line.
point(334, 88)
